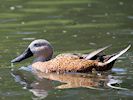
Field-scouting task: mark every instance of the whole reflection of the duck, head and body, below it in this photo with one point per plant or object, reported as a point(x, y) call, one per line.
point(40, 83)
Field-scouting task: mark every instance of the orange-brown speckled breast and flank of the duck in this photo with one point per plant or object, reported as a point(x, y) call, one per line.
point(66, 63)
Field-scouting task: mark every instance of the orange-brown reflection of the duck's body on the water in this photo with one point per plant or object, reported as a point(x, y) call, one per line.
point(72, 80)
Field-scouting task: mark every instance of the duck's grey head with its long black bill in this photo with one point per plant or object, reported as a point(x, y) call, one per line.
point(40, 48)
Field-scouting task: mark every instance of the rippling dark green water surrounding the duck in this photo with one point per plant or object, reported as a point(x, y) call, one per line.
point(71, 26)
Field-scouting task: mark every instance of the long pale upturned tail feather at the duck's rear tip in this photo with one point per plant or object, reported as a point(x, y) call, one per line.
point(114, 57)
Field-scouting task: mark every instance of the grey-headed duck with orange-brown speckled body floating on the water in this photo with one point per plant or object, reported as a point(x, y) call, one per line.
point(42, 50)
